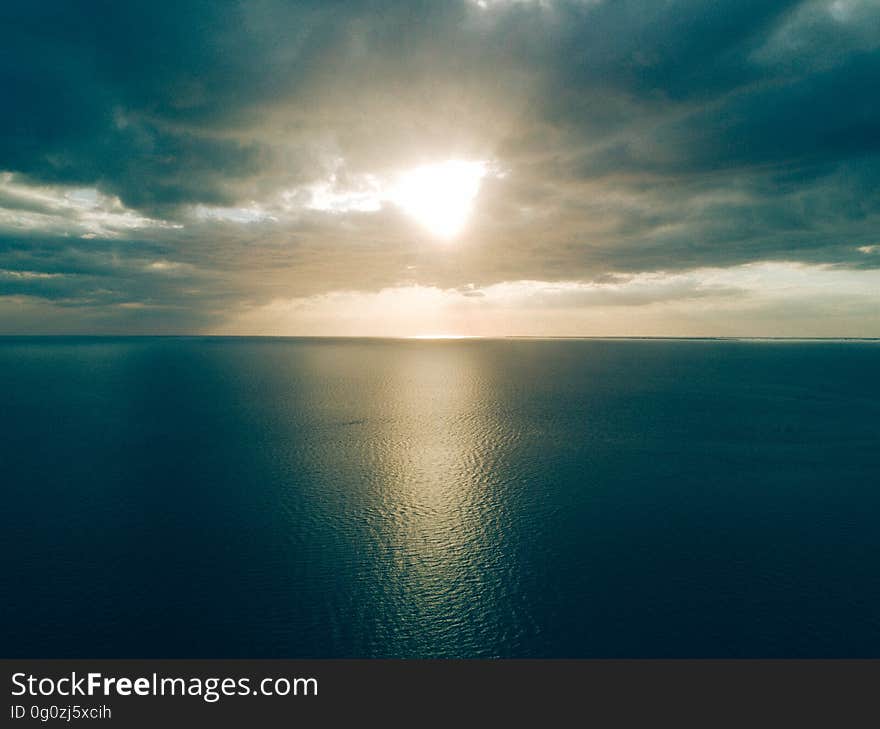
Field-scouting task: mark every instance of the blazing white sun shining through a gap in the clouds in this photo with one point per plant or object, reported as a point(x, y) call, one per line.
point(440, 196)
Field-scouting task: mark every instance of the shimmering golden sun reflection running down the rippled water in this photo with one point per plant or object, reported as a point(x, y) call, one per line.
point(440, 500)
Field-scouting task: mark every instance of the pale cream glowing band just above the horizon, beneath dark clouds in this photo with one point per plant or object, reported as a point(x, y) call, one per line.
point(780, 299)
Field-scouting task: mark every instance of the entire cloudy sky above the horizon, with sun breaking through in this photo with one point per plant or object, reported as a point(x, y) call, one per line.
point(481, 168)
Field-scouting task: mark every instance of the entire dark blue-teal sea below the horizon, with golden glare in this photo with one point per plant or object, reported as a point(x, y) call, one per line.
point(323, 498)
